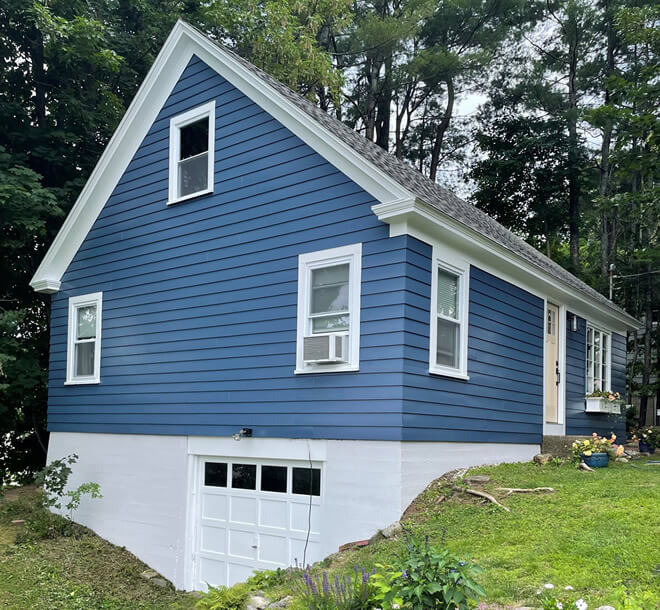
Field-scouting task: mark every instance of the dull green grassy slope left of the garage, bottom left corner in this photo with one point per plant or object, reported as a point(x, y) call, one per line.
point(76, 571)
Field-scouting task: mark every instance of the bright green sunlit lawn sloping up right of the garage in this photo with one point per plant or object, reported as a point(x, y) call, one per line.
point(597, 533)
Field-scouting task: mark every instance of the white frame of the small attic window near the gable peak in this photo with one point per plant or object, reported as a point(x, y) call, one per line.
point(176, 124)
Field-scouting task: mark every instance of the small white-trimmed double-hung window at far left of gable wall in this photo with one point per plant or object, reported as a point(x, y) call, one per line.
point(84, 339)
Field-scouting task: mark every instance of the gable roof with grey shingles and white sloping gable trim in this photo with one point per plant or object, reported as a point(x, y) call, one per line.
point(388, 179)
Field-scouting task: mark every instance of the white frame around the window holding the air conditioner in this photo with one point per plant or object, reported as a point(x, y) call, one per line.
point(309, 261)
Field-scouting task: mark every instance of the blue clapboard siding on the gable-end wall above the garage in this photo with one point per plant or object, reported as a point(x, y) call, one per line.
point(199, 298)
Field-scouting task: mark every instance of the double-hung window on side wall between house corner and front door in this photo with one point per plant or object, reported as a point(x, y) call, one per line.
point(448, 350)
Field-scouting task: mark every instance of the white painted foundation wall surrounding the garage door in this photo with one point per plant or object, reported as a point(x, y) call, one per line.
point(149, 490)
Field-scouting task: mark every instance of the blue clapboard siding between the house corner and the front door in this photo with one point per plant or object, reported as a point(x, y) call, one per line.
point(503, 399)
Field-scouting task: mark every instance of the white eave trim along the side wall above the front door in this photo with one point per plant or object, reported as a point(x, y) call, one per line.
point(423, 221)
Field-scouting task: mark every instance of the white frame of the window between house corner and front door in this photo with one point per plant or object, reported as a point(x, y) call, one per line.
point(461, 272)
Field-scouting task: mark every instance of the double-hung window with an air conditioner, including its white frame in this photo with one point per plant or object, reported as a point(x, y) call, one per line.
point(329, 310)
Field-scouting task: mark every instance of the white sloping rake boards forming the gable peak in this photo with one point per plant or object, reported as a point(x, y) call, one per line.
point(182, 43)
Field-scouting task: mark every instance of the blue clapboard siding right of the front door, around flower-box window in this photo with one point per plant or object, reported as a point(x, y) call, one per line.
point(577, 421)
